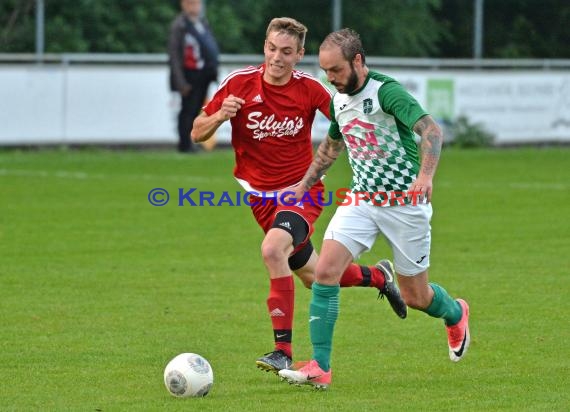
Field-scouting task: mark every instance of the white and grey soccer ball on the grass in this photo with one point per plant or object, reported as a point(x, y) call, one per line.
point(188, 375)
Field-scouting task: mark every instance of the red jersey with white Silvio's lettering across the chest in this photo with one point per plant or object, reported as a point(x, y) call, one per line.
point(271, 134)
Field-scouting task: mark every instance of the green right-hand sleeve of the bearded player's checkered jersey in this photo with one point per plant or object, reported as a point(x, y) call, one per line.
point(396, 100)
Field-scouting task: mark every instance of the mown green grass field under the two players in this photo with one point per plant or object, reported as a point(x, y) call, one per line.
point(99, 289)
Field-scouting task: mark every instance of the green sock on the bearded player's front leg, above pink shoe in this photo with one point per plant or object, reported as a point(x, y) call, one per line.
point(323, 313)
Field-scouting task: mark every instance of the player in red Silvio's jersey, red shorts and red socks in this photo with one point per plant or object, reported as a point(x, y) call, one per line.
point(271, 109)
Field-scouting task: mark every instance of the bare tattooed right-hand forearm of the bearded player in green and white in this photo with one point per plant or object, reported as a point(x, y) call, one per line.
point(431, 142)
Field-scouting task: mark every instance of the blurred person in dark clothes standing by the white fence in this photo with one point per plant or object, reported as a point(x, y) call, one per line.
point(193, 60)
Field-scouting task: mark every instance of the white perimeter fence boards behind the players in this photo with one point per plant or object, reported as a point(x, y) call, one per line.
point(91, 99)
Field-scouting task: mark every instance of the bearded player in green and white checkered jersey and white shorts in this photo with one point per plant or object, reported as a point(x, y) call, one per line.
point(375, 118)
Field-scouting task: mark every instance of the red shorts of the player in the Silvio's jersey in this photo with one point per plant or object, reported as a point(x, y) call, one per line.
point(265, 210)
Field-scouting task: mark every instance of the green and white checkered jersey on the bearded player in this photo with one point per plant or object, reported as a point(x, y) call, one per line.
point(376, 123)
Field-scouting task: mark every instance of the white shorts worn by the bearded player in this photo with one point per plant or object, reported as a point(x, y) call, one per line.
point(406, 228)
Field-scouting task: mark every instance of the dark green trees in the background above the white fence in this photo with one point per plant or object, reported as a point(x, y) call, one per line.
point(391, 28)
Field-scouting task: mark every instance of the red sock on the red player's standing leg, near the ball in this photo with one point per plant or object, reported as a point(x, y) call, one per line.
point(281, 304)
